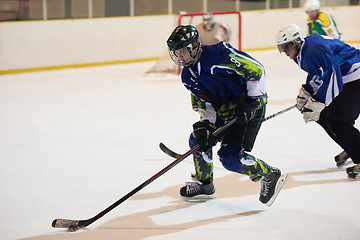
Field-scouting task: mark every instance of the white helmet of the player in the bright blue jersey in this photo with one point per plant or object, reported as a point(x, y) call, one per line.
point(288, 34)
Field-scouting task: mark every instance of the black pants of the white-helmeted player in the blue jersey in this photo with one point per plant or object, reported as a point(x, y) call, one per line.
point(339, 117)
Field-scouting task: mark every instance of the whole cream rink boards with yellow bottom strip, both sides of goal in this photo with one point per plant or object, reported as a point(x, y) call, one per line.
point(40, 45)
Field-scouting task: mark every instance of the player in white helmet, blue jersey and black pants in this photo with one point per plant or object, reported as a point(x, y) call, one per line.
point(331, 94)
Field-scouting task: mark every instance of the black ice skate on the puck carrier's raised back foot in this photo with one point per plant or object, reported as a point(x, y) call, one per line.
point(271, 185)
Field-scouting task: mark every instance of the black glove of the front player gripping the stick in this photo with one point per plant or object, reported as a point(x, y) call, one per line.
point(203, 135)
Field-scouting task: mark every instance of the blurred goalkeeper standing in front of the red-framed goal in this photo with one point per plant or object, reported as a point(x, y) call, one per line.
point(211, 32)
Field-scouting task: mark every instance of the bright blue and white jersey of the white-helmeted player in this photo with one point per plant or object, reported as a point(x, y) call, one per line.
point(330, 63)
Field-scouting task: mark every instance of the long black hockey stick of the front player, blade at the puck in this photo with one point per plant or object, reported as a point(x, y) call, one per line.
point(74, 225)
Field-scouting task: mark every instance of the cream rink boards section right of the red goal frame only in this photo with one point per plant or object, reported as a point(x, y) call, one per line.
point(260, 27)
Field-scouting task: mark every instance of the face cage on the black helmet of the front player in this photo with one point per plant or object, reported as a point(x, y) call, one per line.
point(184, 56)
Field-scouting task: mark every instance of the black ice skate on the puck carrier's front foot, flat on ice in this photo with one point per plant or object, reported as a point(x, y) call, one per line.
point(197, 191)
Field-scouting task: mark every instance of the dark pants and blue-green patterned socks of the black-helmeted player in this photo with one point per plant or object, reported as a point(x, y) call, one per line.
point(235, 141)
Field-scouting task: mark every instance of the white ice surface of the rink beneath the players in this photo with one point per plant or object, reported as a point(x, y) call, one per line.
point(74, 141)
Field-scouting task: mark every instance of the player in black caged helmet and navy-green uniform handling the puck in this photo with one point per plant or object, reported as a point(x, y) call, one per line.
point(224, 83)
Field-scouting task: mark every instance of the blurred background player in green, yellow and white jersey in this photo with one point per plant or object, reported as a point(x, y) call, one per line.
point(320, 23)
